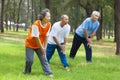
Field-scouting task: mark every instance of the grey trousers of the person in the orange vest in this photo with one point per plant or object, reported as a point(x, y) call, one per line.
point(43, 59)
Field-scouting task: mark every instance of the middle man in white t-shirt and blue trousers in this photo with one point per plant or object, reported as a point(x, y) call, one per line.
point(57, 40)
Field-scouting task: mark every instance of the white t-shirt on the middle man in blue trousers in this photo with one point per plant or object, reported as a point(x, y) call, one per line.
point(59, 32)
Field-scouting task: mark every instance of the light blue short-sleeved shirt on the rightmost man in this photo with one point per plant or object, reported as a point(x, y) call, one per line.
point(89, 25)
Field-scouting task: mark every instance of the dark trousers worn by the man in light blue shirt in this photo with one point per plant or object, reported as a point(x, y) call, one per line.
point(77, 41)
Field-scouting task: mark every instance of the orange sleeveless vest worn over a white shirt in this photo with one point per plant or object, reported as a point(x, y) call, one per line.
point(30, 40)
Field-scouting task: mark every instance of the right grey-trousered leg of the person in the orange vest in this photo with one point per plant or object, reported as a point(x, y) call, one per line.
point(44, 62)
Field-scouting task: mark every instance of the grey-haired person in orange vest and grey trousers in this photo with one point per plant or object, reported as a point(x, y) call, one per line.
point(36, 41)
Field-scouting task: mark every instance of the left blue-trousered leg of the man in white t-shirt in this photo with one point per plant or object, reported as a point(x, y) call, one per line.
point(50, 51)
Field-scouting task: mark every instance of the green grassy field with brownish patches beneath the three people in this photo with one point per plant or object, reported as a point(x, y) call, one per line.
point(105, 65)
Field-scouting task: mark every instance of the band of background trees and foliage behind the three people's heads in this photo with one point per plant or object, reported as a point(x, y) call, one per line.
point(28, 11)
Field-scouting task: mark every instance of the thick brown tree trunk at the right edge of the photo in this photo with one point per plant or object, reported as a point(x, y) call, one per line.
point(117, 24)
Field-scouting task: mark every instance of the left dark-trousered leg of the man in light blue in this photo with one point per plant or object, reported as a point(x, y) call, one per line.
point(76, 44)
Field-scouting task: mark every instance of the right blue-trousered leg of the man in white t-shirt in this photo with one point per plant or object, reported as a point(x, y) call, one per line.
point(62, 57)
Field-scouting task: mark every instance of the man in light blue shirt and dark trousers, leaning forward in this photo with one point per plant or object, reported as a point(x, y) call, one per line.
point(84, 34)
